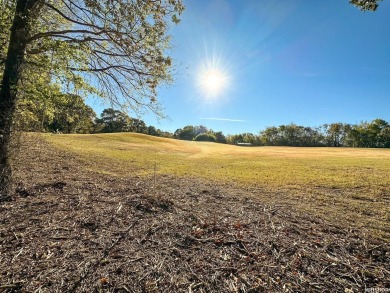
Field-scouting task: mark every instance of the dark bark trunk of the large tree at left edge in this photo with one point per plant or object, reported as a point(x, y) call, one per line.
point(8, 92)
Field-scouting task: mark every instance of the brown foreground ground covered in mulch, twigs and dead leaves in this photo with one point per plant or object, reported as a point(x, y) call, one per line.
point(72, 230)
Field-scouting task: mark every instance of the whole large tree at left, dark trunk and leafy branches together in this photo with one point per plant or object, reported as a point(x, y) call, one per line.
point(120, 44)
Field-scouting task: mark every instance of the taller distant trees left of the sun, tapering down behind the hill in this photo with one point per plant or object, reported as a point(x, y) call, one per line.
point(65, 113)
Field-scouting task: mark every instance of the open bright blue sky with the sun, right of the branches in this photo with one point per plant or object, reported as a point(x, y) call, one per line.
point(242, 65)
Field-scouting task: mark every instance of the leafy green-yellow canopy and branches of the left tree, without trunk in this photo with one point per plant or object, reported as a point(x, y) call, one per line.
point(114, 49)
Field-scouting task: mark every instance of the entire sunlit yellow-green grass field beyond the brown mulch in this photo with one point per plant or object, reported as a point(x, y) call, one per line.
point(350, 187)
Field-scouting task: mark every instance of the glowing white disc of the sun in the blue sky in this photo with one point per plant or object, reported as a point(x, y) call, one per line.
point(212, 82)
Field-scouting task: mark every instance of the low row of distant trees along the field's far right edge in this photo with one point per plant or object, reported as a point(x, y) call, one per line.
point(374, 134)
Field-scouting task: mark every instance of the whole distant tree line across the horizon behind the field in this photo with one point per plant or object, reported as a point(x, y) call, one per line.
point(68, 113)
